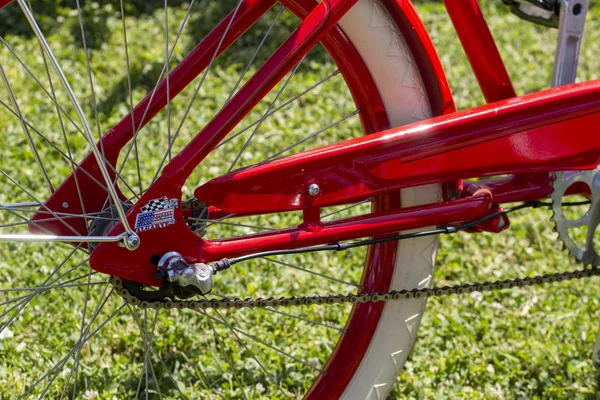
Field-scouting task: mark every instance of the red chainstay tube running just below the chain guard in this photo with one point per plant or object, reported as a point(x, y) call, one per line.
point(374, 224)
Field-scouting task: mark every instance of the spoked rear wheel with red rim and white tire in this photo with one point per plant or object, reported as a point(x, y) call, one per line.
point(66, 332)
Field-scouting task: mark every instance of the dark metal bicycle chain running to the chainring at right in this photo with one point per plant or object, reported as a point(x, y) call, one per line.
point(352, 298)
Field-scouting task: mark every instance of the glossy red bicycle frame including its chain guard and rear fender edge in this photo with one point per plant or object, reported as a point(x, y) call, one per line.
point(525, 137)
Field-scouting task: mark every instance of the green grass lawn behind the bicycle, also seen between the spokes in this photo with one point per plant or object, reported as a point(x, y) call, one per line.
point(524, 343)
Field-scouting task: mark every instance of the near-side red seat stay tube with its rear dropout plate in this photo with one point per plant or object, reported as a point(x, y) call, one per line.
point(115, 260)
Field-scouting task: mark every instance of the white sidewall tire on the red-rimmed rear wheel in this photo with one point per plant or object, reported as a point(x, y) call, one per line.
point(397, 77)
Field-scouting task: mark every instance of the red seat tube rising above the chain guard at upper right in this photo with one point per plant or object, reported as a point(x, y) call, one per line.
point(477, 40)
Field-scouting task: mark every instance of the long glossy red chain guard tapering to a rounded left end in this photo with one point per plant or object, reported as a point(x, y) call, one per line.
point(541, 132)
